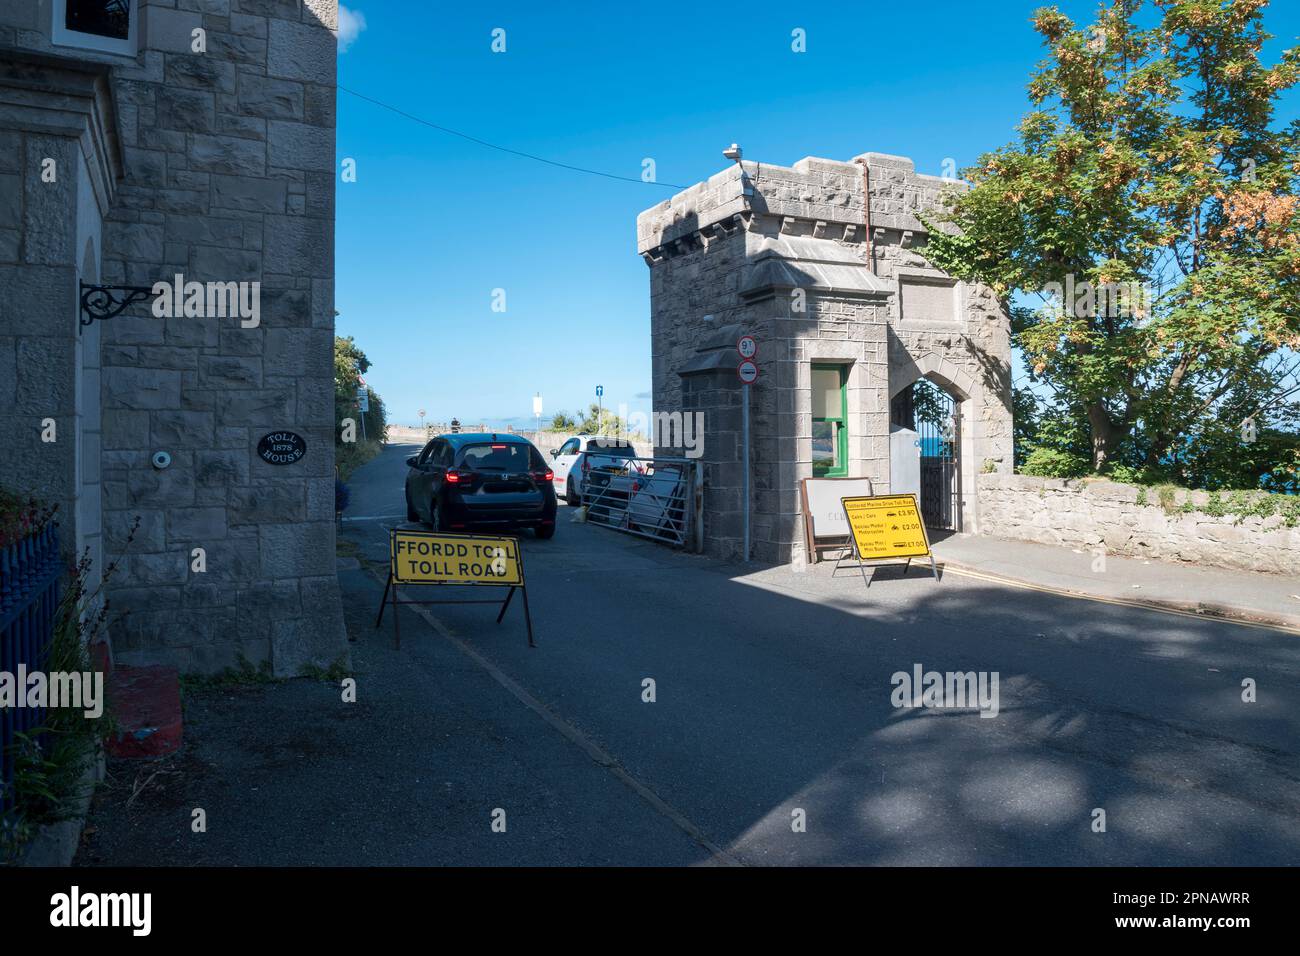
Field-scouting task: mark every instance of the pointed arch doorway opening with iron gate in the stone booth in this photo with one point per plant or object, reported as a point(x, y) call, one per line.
point(934, 414)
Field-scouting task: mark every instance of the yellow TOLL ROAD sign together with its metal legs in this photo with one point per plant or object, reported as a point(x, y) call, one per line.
point(422, 557)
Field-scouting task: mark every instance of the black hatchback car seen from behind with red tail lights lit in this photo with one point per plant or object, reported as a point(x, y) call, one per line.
point(462, 482)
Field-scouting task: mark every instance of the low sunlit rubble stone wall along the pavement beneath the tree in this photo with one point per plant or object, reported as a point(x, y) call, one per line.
point(1104, 514)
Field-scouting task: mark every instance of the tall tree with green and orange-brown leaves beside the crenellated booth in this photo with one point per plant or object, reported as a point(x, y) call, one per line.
point(1151, 205)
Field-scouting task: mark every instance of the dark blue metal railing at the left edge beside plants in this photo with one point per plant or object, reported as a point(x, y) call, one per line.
point(31, 572)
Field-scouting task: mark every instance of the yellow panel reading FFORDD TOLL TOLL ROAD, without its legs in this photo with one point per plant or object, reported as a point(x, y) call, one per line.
point(421, 557)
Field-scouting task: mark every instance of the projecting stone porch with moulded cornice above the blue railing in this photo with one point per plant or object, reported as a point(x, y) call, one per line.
point(59, 167)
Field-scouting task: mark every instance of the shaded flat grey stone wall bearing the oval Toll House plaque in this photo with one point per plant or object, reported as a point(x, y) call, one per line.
point(227, 175)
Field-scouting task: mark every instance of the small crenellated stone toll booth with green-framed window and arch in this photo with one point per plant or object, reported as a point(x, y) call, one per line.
point(837, 292)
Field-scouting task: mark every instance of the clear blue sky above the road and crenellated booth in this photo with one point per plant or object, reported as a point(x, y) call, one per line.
point(434, 224)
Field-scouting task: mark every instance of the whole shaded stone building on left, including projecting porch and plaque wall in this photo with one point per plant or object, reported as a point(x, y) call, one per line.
point(198, 140)
